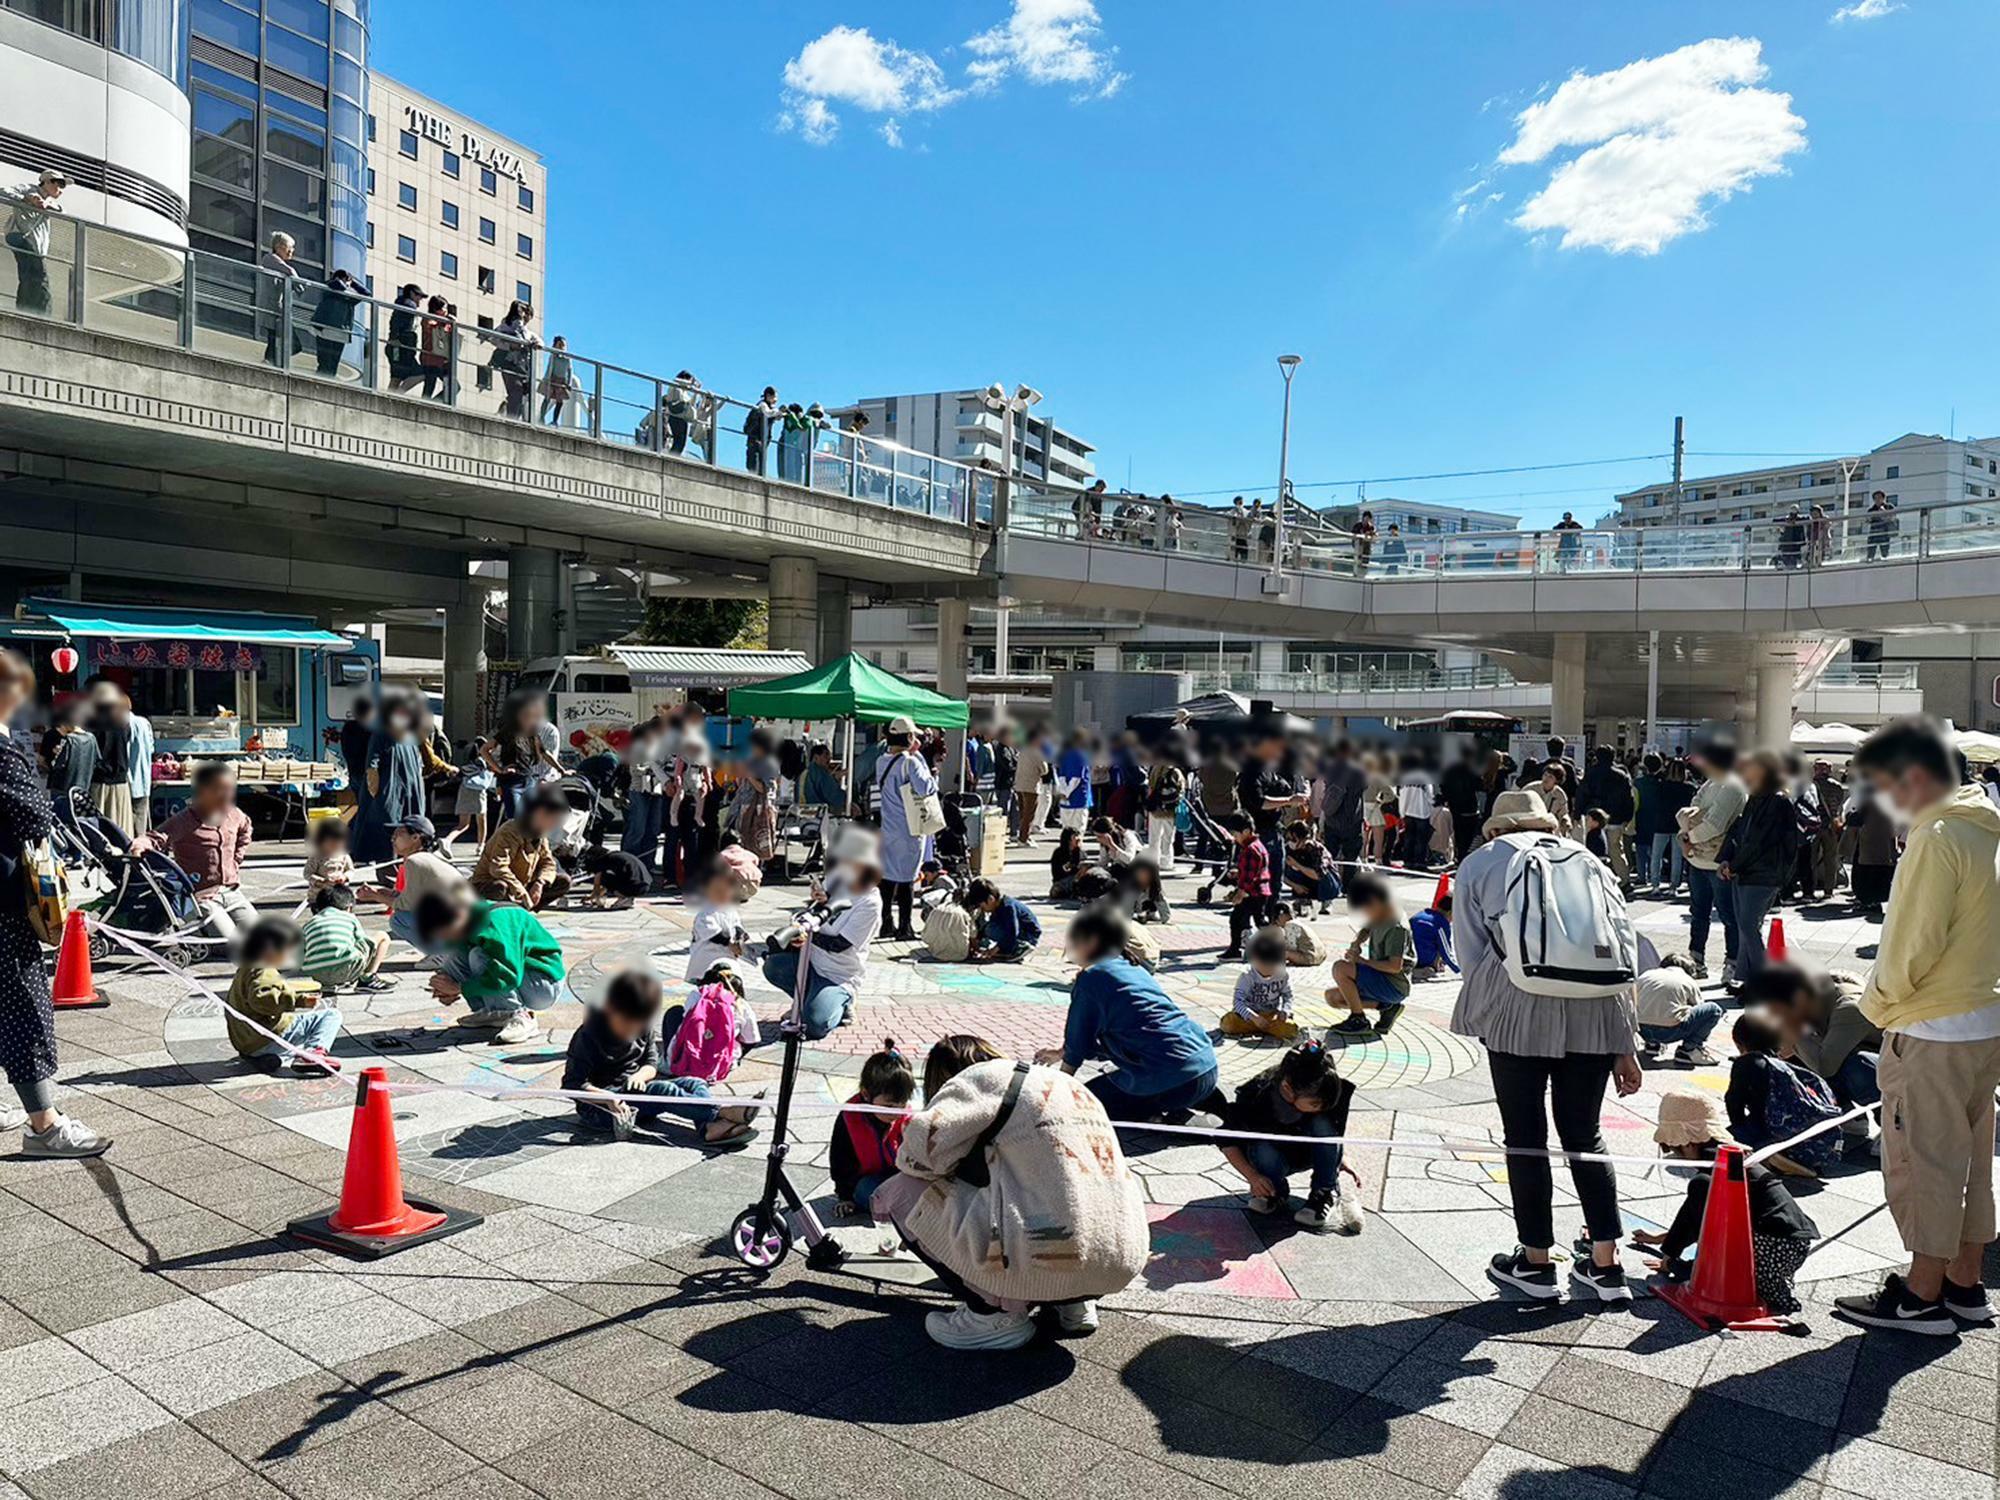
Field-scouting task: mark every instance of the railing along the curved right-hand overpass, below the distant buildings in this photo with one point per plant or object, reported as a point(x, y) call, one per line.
point(1857, 539)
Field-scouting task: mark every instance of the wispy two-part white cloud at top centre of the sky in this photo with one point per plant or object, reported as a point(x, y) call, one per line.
point(1041, 41)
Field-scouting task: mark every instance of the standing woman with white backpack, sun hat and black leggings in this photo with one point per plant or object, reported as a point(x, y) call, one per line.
point(1549, 965)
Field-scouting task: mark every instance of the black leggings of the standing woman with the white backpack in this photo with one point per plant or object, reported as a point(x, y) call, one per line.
point(1575, 1087)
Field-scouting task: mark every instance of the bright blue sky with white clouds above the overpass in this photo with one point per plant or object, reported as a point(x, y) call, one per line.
point(1139, 205)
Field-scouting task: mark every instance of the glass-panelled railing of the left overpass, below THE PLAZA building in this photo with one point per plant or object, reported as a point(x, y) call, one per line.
point(157, 293)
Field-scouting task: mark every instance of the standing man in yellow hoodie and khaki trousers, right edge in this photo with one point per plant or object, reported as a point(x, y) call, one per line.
point(1937, 997)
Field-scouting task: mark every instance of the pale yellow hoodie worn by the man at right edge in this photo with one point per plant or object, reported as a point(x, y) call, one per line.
point(1941, 943)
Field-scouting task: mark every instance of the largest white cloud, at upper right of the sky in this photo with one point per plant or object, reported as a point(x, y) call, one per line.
point(1665, 139)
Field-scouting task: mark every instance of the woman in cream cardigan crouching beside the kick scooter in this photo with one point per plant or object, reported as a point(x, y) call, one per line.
point(1013, 1189)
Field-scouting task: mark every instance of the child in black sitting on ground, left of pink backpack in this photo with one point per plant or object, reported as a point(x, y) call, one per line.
point(617, 1051)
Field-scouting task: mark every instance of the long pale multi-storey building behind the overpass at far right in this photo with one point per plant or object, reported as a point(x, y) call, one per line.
point(1913, 471)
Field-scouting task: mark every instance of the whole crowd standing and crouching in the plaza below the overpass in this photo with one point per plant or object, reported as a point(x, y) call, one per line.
point(1295, 827)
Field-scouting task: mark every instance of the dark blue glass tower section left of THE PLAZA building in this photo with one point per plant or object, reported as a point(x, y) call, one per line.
point(279, 95)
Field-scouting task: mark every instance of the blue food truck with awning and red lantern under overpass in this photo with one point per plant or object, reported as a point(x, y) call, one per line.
point(267, 691)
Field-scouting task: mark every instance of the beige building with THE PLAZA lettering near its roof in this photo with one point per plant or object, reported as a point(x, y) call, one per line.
point(453, 207)
